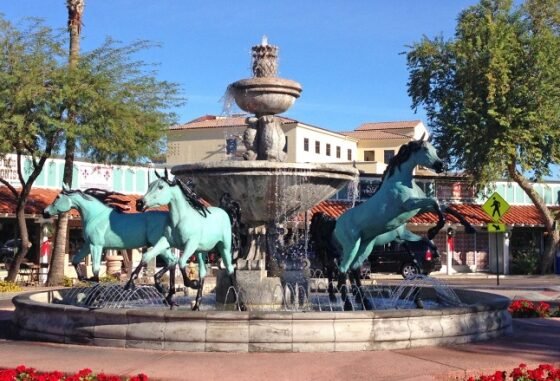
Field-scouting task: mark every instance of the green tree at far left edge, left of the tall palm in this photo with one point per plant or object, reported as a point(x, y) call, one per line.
point(31, 111)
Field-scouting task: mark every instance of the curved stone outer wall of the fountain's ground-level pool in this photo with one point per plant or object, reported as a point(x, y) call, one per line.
point(485, 316)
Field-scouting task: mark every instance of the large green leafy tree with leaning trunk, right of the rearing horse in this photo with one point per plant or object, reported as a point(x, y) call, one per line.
point(492, 96)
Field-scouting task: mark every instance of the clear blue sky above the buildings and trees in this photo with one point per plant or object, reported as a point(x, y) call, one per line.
point(344, 53)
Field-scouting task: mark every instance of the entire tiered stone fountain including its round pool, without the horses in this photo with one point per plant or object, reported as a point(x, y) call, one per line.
point(288, 310)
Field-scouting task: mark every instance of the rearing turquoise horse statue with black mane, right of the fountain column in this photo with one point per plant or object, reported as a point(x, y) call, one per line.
point(379, 220)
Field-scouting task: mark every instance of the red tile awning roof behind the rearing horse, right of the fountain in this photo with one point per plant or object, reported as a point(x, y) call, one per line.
point(517, 215)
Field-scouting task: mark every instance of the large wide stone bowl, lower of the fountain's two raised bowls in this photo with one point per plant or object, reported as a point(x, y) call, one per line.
point(267, 191)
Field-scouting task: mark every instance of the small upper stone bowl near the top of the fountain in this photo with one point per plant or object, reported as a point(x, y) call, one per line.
point(265, 96)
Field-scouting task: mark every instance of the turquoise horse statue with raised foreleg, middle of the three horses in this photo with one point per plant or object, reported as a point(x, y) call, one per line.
point(192, 227)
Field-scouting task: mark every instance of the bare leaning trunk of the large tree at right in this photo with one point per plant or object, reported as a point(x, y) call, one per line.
point(553, 235)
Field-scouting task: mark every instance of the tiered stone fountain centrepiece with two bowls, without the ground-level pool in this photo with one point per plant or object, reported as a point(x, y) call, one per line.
point(268, 190)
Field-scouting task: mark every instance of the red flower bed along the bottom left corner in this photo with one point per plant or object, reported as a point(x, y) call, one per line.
point(22, 373)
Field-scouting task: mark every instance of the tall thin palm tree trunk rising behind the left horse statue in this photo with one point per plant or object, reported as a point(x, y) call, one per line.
point(56, 271)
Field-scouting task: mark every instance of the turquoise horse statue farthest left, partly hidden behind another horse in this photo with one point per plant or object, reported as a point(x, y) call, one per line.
point(105, 226)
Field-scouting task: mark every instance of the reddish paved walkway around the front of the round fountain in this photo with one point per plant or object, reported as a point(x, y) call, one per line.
point(534, 341)
